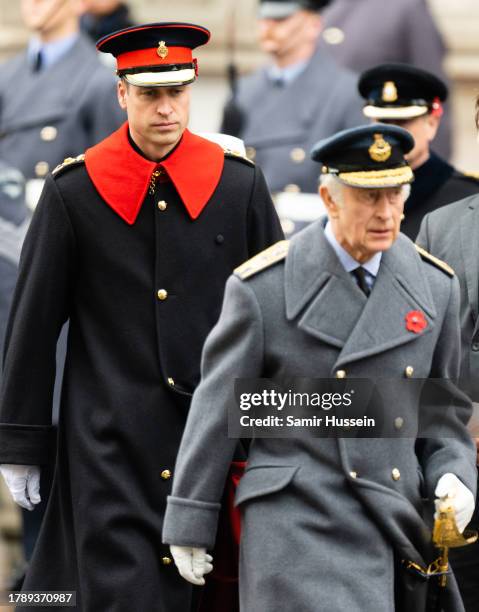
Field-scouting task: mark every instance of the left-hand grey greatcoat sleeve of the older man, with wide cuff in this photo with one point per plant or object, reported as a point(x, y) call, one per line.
point(234, 349)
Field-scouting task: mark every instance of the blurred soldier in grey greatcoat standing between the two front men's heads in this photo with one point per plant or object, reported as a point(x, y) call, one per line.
point(302, 96)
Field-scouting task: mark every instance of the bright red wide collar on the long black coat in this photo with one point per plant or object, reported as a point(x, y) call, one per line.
point(122, 176)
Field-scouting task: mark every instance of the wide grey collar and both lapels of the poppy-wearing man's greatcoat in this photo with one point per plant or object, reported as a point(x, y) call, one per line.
point(330, 306)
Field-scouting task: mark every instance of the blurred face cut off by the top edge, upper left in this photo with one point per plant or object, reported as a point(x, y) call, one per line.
point(52, 19)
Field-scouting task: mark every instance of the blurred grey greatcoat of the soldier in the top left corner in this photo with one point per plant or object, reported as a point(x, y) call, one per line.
point(52, 114)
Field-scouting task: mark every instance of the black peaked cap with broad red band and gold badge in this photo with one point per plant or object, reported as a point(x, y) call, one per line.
point(156, 54)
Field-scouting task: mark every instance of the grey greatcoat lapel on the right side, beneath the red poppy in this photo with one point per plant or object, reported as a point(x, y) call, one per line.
point(400, 287)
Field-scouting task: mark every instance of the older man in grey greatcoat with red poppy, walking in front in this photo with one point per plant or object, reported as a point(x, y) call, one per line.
point(333, 524)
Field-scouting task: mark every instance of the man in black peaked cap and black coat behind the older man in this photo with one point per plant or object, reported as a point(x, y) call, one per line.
point(413, 99)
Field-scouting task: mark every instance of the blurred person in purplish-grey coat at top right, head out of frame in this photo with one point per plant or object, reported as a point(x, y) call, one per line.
point(407, 33)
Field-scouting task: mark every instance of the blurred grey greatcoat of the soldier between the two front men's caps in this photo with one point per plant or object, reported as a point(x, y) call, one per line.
point(280, 124)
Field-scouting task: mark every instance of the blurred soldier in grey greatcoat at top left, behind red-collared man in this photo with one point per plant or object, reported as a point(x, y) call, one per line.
point(57, 98)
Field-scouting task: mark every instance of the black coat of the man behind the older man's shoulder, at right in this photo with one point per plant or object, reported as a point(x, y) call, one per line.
point(435, 184)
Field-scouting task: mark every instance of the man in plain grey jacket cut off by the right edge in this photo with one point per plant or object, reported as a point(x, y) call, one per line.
point(451, 233)
